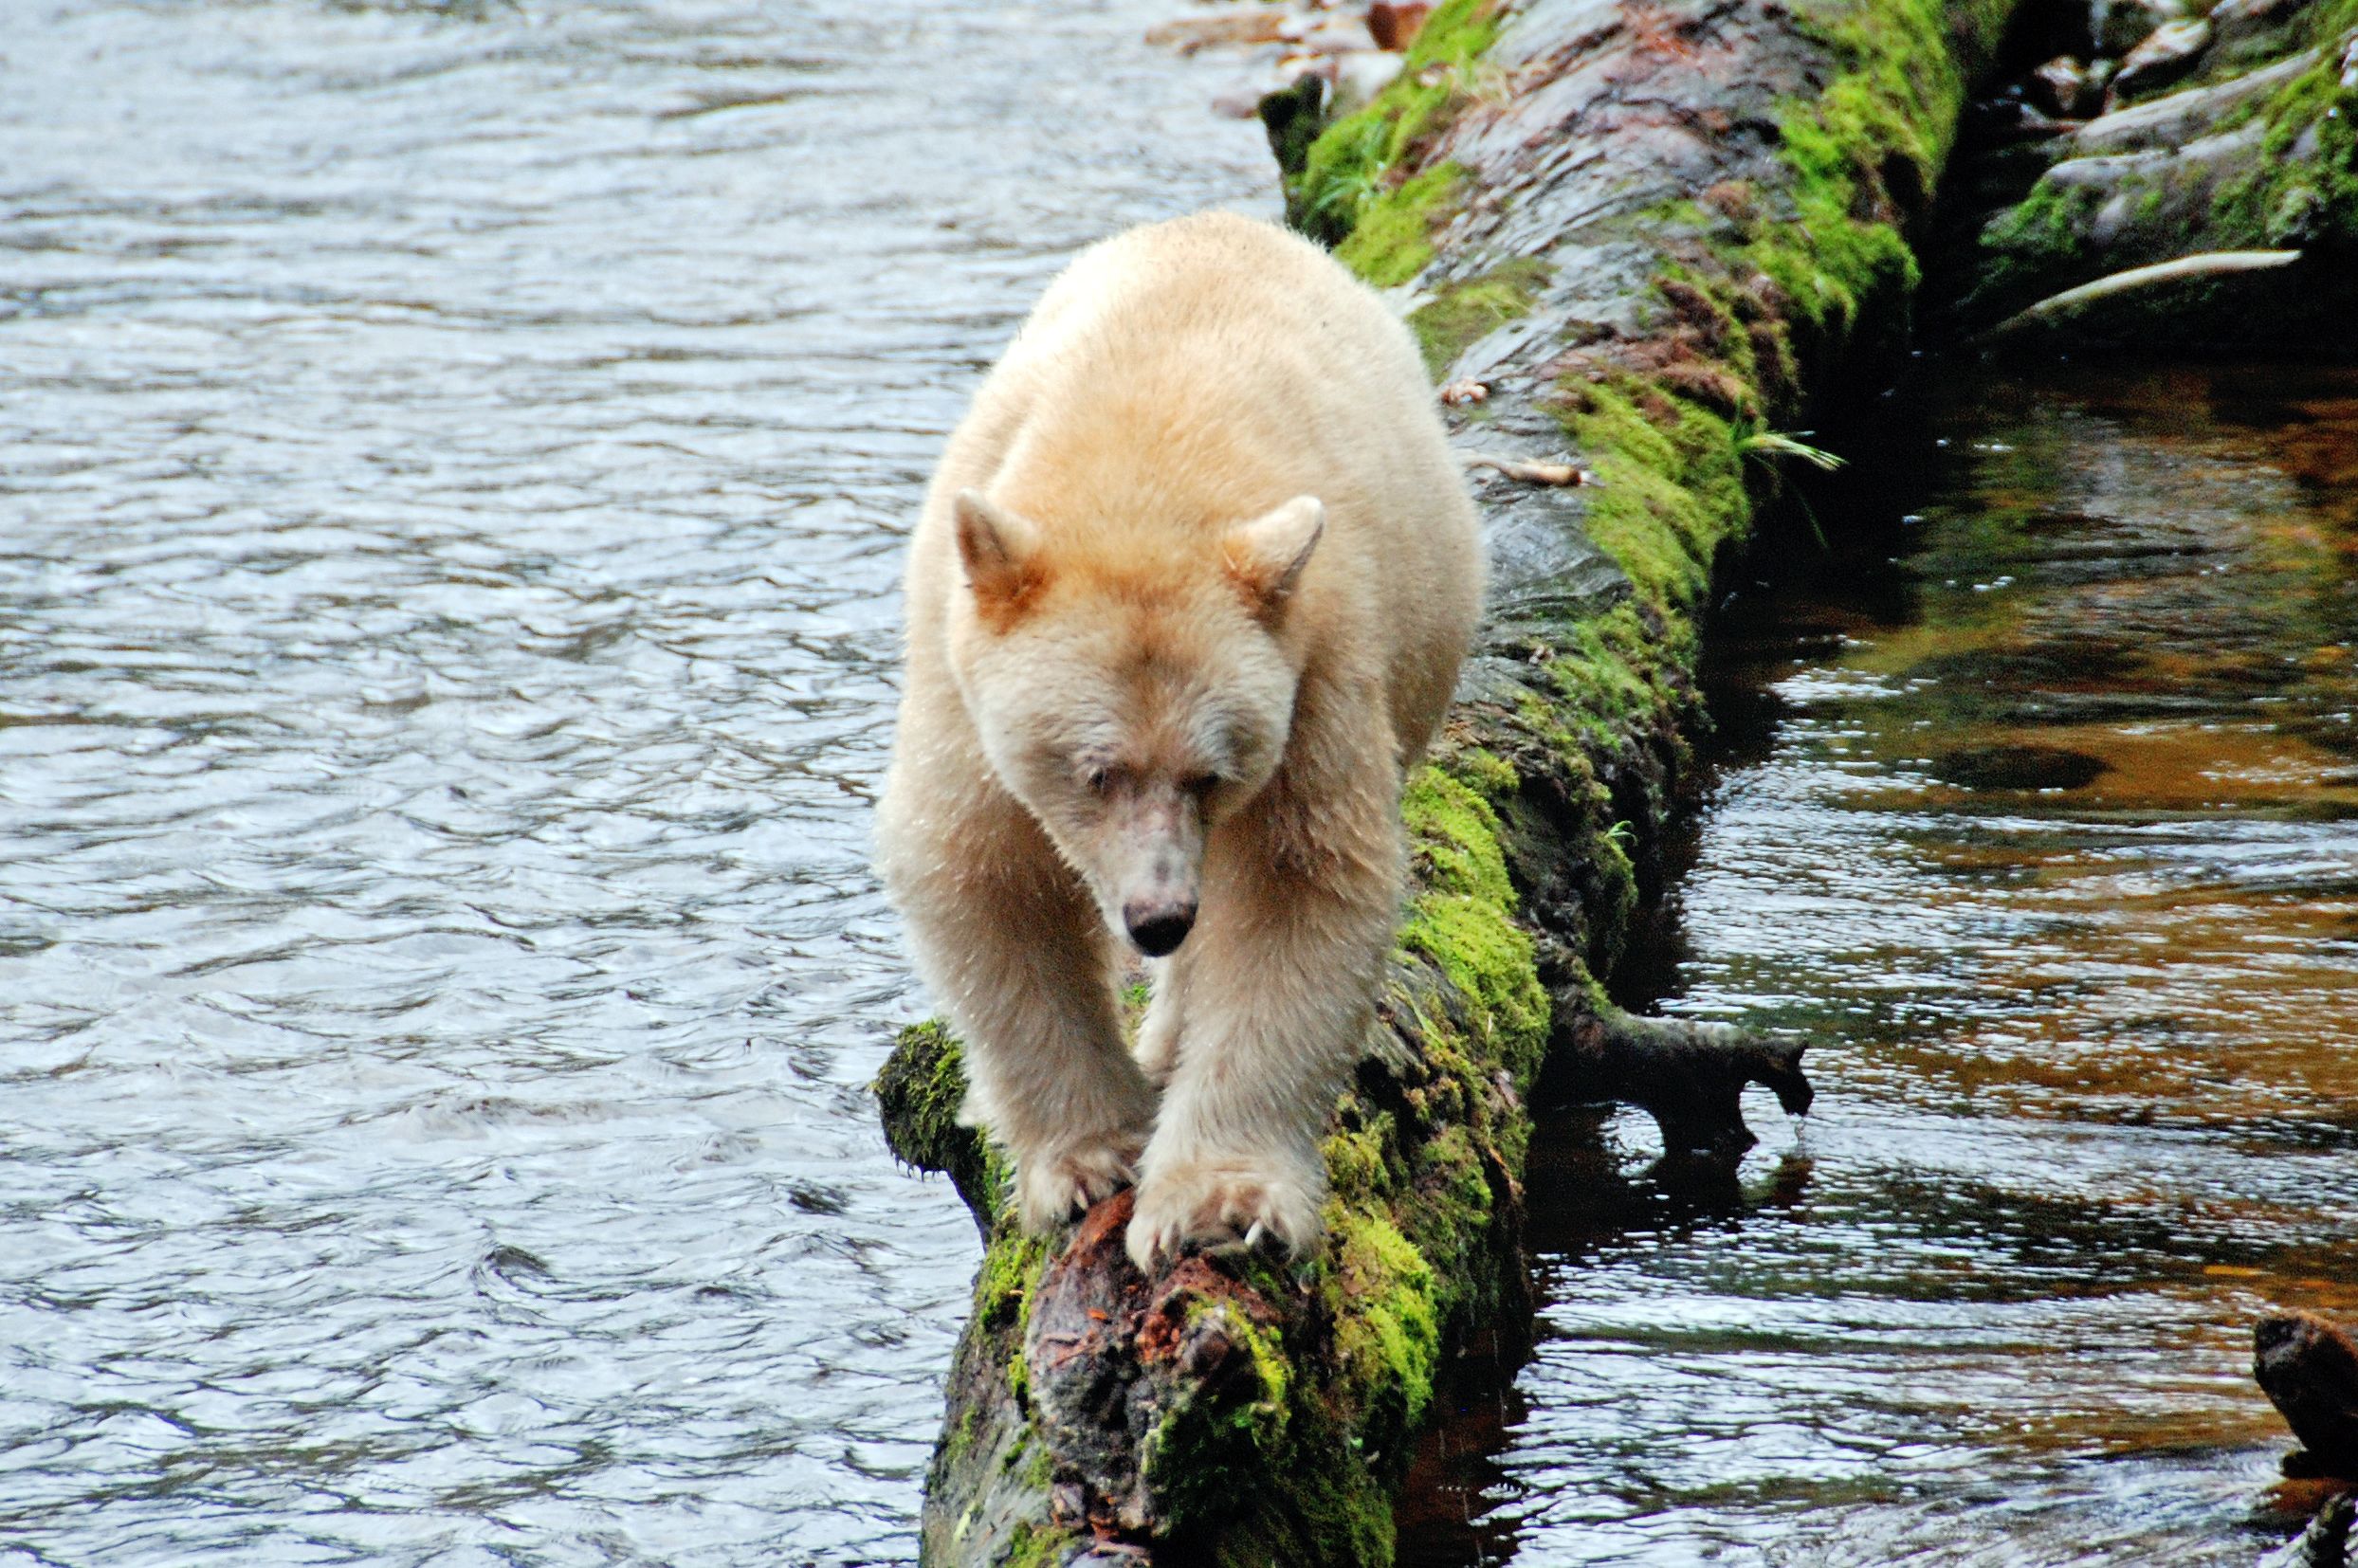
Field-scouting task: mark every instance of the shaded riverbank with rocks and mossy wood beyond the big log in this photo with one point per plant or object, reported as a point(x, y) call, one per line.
point(2171, 176)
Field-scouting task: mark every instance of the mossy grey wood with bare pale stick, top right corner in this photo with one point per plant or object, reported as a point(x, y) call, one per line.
point(2258, 152)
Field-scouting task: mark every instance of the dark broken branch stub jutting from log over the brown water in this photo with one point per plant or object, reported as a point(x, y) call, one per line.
point(1687, 1076)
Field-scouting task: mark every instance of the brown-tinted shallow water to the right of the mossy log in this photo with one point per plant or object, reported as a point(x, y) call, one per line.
point(2041, 819)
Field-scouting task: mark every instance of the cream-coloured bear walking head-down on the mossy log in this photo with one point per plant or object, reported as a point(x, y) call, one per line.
point(1187, 602)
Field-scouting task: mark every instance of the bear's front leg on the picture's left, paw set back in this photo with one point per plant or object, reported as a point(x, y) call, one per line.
point(1020, 958)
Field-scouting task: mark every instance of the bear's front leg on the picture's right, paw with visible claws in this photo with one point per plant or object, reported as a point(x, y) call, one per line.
point(1274, 989)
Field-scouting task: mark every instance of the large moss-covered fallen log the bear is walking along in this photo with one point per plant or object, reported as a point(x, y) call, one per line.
point(1633, 239)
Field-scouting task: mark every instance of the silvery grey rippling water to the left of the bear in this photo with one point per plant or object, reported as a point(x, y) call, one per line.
point(452, 480)
